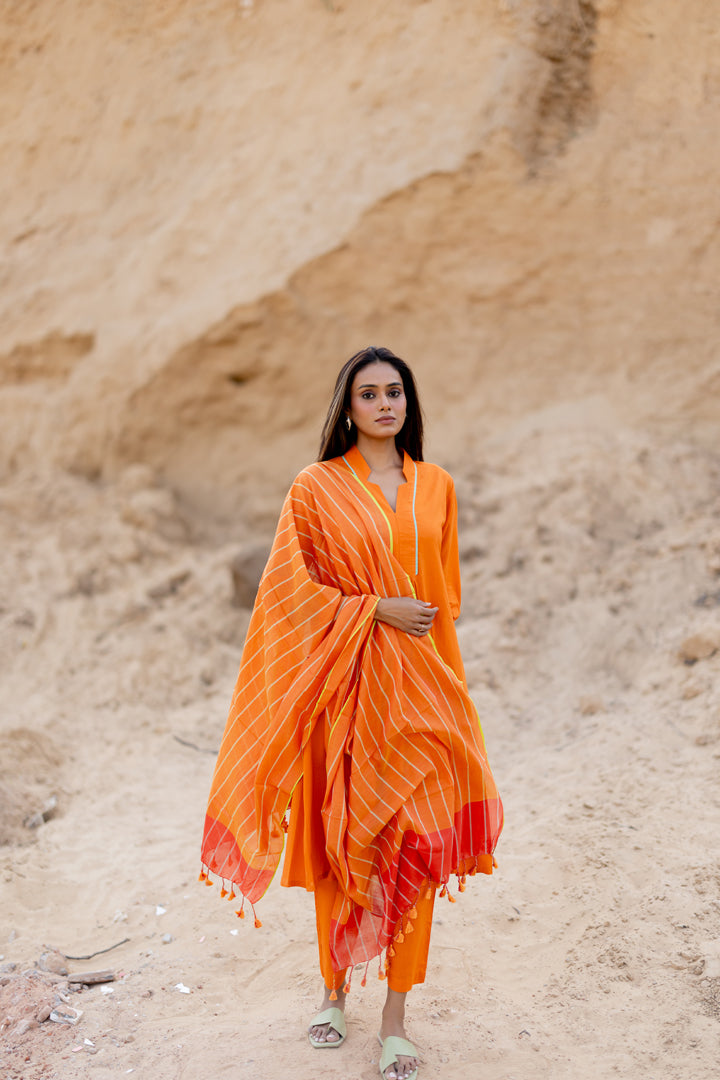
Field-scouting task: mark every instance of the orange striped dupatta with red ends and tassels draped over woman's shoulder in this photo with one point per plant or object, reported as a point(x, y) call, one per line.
point(410, 796)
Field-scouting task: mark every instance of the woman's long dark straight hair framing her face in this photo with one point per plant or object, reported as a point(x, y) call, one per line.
point(337, 440)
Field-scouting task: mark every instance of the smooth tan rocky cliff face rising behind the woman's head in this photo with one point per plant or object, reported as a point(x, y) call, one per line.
point(211, 208)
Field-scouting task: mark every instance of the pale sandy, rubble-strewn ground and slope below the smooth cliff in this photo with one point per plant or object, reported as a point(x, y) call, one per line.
point(591, 559)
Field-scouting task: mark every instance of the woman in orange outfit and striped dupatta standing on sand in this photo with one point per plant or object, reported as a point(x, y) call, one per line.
point(352, 708)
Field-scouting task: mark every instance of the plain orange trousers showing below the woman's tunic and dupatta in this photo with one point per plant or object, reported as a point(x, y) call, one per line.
point(406, 968)
